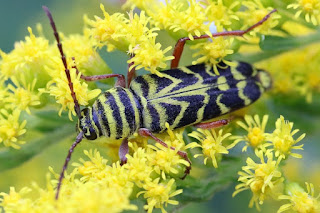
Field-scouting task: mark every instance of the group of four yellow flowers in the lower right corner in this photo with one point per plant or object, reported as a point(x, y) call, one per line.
point(264, 178)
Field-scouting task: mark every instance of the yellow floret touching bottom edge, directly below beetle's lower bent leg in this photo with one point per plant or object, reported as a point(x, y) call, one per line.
point(158, 194)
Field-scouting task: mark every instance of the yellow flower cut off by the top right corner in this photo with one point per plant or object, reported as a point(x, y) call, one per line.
point(310, 8)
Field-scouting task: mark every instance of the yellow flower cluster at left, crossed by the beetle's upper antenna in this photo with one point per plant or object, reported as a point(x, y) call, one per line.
point(33, 68)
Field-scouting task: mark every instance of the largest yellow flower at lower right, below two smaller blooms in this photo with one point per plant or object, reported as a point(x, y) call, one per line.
point(263, 179)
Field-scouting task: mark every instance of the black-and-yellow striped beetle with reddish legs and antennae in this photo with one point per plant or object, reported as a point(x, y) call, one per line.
point(180, 97)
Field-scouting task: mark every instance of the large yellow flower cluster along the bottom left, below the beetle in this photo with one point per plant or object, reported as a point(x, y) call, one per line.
point(150, 169)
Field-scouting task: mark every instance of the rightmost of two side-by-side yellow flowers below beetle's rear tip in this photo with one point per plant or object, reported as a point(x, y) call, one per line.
point(282, 140)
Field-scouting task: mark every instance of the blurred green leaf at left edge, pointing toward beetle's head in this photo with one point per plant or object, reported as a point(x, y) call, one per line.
point(11, 158)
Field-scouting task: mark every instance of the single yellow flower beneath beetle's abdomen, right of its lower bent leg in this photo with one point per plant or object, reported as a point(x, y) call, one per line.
point(211, 144)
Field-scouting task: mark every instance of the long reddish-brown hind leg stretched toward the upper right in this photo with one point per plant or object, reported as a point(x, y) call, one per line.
point(178, 49)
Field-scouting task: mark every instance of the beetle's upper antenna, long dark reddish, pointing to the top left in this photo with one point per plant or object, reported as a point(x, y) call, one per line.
point(63, 58)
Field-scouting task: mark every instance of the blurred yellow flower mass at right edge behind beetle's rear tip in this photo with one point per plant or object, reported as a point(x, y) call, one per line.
point(296, 71)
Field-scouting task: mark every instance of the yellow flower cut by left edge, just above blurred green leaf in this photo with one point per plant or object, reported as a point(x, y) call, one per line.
point(11, 129)
